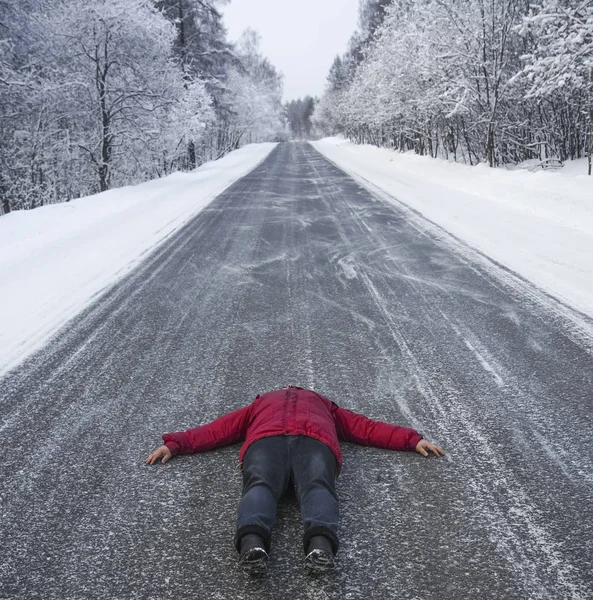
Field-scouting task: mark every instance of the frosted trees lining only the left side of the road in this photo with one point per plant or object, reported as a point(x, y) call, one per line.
point(102, 93)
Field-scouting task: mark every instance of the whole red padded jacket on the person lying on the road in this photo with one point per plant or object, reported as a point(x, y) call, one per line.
point(292, 411)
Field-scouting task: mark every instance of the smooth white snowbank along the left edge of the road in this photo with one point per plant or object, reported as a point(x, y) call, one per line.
point(55, 259)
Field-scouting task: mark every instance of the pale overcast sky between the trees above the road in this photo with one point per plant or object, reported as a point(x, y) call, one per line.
point(300, 37)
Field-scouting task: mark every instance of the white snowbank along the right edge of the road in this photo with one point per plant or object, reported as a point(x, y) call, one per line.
point(538, 224)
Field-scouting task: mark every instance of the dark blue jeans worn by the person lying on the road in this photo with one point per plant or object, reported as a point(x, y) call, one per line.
point(269, 466)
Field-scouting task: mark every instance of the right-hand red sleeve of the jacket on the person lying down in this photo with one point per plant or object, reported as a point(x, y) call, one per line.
point(352, 427)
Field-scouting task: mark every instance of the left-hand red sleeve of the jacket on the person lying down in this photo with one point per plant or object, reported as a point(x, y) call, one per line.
point(225, 430)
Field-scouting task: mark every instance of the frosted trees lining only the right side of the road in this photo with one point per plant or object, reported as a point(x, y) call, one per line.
point(496, 81)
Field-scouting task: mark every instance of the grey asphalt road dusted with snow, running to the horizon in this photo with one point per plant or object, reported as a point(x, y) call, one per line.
point(297, 274)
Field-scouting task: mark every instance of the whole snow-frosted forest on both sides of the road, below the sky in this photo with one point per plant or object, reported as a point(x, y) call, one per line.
point(105, 93)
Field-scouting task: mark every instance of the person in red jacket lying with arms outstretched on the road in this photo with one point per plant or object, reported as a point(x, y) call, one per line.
point(290, 437)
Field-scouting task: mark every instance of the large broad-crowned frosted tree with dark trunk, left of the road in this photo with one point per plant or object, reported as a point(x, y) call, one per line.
point(123, 83)
